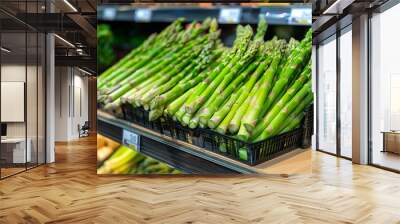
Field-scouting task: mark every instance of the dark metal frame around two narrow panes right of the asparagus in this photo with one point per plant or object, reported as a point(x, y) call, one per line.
point(337, 30)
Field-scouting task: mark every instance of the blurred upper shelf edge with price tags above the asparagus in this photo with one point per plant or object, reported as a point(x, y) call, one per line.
point(275, 15)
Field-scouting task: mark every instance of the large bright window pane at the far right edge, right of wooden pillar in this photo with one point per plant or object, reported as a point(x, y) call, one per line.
point(385, 84)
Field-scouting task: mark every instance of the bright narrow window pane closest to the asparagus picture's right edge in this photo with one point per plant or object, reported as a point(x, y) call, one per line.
point(327, 96)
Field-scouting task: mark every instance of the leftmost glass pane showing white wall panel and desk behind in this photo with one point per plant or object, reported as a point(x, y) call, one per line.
point(13, 86)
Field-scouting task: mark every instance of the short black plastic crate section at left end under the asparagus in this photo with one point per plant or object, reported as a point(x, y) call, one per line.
point(140, 116)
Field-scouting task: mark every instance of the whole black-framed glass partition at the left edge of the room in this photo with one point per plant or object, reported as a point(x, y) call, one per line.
point(22, 98)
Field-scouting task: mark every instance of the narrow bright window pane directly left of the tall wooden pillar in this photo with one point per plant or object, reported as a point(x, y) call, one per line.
point(346, 94)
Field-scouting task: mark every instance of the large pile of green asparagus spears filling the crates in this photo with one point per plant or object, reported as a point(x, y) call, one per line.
point(252, 90)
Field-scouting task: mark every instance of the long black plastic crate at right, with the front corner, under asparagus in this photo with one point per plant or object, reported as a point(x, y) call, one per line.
point(249, 153)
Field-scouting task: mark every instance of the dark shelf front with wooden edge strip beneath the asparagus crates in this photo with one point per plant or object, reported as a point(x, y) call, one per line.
point(180, 155)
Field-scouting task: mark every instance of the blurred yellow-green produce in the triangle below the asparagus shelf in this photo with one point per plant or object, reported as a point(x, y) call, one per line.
point(116, 159)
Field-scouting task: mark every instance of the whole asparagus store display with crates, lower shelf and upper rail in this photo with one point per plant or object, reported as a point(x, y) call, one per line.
point(207, 85)
